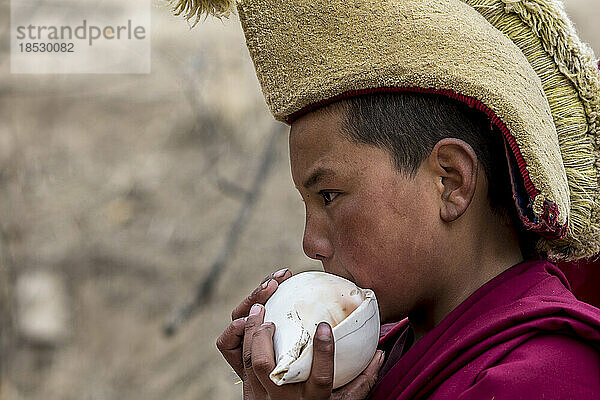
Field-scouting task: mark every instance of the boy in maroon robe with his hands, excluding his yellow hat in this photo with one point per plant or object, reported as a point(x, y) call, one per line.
point(435, 246)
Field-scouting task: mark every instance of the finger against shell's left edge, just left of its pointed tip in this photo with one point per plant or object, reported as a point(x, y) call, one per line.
point(263, 357)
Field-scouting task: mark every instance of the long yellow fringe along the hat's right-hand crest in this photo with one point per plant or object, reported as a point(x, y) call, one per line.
point(579, 142)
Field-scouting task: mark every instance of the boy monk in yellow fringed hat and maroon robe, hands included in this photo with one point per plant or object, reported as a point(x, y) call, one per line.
point(445, 151)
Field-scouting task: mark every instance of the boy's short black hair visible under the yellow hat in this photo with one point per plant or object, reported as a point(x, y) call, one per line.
point(409, 125)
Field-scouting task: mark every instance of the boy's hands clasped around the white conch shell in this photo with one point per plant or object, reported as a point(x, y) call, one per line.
point(247, 345)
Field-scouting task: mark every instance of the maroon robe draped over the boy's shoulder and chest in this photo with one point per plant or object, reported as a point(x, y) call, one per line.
point(522, 335)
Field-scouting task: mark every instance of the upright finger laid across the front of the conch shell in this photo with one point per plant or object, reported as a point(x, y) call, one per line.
point(320, 381)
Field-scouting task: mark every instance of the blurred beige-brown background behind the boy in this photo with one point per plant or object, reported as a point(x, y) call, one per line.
point(124, 196)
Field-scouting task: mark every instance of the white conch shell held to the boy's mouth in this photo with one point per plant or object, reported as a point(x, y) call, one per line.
point(303, 301)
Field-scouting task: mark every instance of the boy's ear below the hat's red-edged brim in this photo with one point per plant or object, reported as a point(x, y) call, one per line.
point(455, 163)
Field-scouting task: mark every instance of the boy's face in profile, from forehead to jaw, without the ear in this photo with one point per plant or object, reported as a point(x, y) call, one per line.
point(365, 220)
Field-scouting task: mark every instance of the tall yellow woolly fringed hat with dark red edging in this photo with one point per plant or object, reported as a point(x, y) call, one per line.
point(518, 61)
